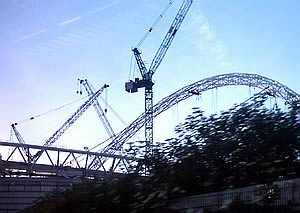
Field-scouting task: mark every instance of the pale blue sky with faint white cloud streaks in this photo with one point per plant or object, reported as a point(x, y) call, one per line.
point(46, 46)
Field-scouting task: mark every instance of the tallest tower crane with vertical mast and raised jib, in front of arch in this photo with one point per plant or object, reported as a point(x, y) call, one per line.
point(146, 80)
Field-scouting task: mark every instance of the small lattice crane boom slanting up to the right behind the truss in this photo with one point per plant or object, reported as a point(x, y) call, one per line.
point(71, 120)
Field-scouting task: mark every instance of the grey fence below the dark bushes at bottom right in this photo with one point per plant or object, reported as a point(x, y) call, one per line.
point(288, 194)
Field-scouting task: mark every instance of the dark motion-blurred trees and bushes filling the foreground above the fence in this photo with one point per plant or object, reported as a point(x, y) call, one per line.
point(245, 145)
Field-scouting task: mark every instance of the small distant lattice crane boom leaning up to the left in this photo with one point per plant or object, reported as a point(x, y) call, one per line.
point(89, 89)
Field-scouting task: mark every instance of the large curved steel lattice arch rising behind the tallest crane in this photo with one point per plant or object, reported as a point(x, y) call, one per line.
point(233, 79)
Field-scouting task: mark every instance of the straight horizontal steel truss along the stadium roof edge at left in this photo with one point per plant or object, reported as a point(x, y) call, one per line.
point(59, 160)
